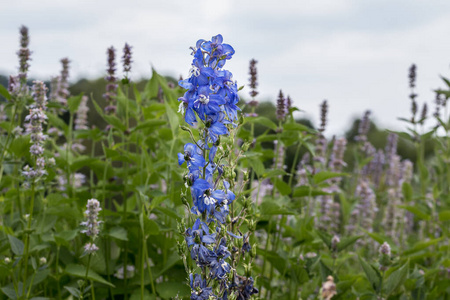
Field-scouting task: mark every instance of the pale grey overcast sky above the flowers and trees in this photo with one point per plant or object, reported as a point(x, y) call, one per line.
point(355, 54)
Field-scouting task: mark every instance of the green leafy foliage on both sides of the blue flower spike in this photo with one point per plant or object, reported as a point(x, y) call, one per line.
point(314, 222)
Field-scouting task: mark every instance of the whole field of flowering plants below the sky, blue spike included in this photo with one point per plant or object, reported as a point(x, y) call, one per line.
point(188, 190)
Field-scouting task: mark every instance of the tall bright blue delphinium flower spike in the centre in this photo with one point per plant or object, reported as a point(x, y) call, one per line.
point(211, 99)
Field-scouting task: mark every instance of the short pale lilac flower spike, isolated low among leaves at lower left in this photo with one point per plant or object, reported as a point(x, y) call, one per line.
point(92, 224)
